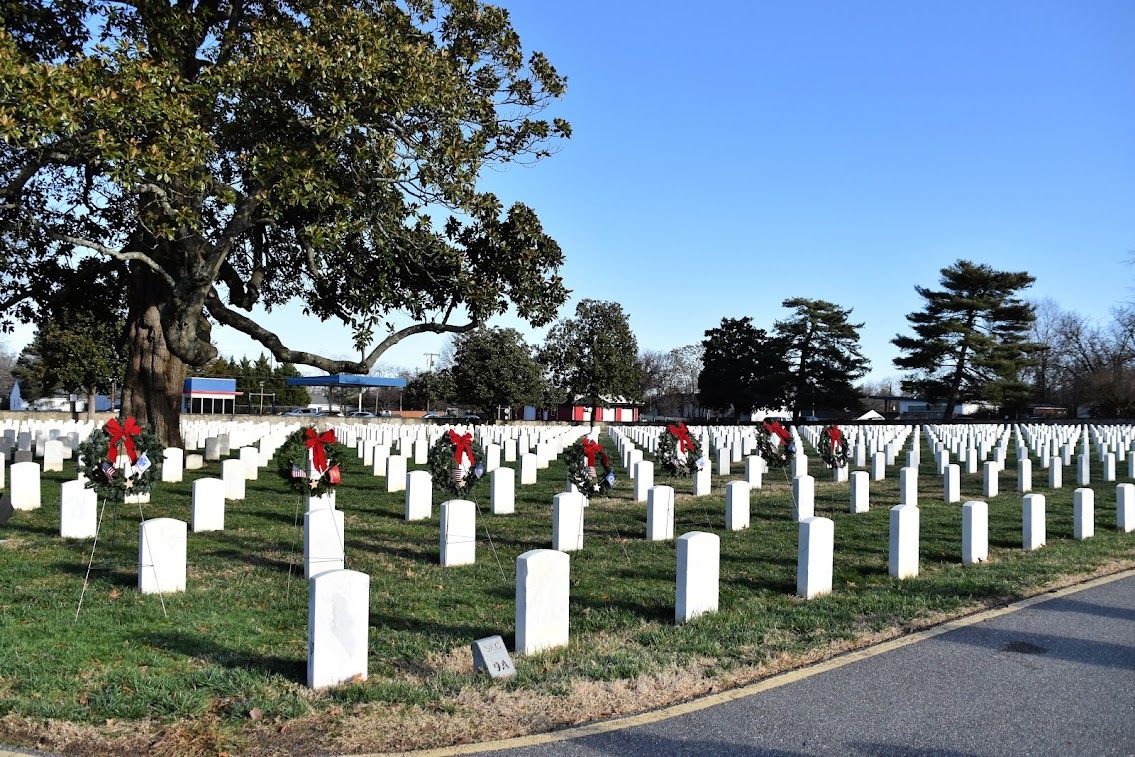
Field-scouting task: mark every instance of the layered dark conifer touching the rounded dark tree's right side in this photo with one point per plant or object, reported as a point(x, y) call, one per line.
point(822, 349)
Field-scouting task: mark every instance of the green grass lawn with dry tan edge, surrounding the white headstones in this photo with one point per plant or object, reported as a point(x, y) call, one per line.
point(224, 669)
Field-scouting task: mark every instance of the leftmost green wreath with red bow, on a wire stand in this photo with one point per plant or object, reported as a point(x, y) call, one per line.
point(100, 457)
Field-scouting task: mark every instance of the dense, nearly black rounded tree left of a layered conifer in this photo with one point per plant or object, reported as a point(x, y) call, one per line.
point(743, 368)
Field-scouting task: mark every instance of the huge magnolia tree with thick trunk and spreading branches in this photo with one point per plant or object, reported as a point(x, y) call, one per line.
point(241, 154)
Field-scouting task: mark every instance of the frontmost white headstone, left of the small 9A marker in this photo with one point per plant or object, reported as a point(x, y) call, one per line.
point(339, 627)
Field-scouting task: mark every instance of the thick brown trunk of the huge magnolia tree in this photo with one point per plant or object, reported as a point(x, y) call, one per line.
point(155, 377)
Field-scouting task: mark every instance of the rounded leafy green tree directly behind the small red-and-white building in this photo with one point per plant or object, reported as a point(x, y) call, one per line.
point(593, 356)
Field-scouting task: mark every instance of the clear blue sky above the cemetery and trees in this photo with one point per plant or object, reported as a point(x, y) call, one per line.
point(728, 156)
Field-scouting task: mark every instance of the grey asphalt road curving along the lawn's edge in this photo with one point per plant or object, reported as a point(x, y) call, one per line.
point(1057, 678)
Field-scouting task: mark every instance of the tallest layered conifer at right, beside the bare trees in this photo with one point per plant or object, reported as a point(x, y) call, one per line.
point(971, 339)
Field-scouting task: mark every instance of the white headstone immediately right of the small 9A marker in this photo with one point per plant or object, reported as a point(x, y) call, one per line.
point(542, 601)
